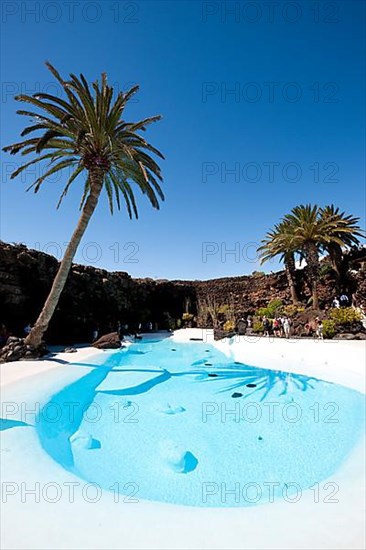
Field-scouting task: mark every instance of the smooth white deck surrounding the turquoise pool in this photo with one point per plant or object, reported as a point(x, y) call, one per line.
point(32, 521)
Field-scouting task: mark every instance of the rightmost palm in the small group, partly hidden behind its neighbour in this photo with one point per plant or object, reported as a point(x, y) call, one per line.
point(346, 230)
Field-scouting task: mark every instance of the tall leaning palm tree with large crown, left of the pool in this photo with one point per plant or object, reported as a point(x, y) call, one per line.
point(85, 132)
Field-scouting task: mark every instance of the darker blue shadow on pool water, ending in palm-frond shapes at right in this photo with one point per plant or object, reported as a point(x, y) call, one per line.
point(55, 436)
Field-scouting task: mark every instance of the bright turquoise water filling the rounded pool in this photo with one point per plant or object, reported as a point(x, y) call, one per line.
point(182, 423)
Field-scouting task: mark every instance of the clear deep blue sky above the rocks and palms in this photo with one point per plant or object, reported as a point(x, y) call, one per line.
point(263, 109)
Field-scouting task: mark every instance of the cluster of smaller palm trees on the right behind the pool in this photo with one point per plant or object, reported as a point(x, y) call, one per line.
point(307, 232)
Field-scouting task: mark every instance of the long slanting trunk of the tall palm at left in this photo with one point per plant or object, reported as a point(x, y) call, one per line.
point(36, 335)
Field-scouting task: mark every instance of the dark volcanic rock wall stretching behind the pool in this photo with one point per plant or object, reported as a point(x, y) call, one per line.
point(97, 298)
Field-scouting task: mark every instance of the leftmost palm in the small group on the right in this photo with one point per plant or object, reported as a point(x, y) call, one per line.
point(279, 242)
